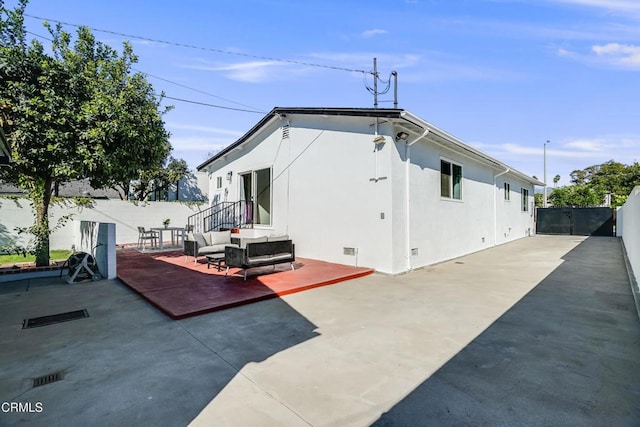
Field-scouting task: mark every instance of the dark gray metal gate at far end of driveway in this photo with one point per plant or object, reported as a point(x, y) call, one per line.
point(575, 221)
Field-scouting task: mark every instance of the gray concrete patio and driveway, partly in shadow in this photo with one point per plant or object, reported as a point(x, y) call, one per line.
point(541, 331)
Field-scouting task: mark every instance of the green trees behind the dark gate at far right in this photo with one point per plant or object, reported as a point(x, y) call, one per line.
point(592, 184)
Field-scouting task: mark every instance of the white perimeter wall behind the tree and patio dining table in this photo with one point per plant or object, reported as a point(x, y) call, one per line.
point(125, 215)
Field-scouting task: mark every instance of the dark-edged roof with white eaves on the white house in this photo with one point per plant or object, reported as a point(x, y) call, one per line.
point(403, 118)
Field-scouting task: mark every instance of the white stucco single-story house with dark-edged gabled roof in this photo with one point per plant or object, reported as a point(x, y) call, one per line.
point(380, 188)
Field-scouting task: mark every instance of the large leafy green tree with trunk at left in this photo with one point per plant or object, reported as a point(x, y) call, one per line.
point(73, 112)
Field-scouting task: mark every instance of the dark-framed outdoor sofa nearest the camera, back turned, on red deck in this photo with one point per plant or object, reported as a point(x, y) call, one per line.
point(259, 254)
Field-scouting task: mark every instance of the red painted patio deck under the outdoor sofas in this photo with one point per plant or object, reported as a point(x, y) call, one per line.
point(182, 289)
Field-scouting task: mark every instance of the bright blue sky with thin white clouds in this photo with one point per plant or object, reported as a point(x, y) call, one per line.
point(504, 76)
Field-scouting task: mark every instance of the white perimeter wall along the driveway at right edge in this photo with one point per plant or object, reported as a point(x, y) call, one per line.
point(628, 227)
